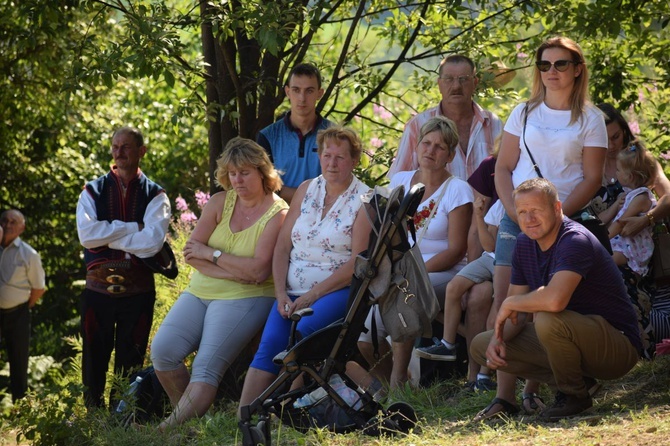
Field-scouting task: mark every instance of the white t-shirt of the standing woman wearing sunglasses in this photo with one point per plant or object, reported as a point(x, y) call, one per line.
point(556, 144)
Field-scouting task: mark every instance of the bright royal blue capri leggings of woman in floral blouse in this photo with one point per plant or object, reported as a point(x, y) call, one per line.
point(327, 310)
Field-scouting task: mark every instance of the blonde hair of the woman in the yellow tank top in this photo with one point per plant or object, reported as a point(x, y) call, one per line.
point(243, 152)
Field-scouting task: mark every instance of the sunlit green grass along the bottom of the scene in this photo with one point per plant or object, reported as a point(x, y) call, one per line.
point(634, 410)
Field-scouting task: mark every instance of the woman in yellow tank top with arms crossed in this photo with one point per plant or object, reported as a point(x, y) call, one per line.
point(231, 291)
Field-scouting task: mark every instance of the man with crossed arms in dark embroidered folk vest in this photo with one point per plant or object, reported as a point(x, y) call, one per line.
point(122, 218)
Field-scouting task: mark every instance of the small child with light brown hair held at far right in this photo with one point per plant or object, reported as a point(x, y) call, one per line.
point(636, 170)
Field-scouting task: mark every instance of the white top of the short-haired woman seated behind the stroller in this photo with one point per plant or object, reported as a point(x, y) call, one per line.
point(436, 238)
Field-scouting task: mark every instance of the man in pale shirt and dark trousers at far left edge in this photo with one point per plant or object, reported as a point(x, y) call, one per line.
point(22, 284)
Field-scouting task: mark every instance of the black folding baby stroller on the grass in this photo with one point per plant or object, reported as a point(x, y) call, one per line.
point(328, 397)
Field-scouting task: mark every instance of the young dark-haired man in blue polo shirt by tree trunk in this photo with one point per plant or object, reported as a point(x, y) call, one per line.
point(291, 141)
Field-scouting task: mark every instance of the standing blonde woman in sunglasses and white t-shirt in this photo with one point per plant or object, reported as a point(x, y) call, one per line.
point(559, 135)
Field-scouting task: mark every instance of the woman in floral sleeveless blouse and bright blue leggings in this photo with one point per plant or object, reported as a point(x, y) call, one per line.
point(313, 262)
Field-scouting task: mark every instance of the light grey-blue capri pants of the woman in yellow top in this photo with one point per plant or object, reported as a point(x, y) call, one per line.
point(217, 329)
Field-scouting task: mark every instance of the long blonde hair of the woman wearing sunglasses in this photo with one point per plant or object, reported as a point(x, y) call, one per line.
point(579, 95)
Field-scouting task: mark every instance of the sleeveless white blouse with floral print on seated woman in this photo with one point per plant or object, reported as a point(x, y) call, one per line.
point(321, 246)
